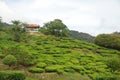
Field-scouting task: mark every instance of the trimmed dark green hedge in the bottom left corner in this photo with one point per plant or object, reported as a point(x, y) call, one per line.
point(12, 75)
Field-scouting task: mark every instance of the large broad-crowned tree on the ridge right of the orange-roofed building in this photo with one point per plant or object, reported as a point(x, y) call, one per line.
point(56, 27)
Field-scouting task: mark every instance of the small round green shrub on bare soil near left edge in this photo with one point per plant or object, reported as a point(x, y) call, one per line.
point(9, 60)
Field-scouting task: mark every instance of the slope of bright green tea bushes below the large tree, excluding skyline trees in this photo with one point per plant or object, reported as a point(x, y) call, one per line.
point(59, 55)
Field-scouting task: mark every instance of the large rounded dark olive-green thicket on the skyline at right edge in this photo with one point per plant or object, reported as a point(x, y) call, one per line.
point(108, 40)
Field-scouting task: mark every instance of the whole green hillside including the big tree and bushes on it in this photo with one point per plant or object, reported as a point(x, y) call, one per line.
point(37, 56)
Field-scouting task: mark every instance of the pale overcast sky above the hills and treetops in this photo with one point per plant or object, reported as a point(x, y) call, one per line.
point(89, 16)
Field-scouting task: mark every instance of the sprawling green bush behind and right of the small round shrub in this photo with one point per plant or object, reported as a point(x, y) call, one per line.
point(22, 55)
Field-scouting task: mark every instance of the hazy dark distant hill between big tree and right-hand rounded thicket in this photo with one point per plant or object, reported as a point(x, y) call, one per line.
point(81, 36)
